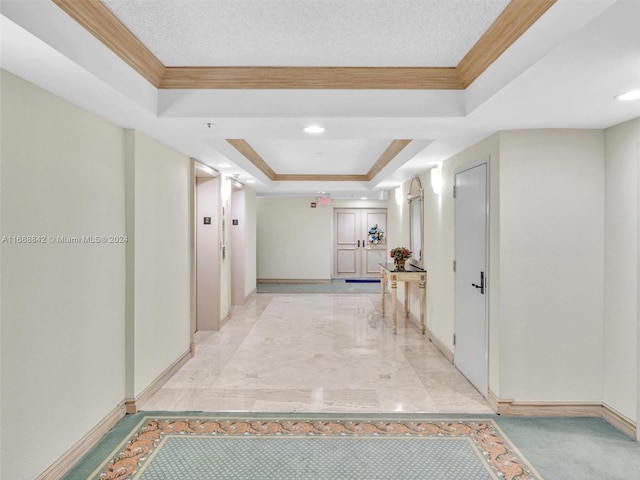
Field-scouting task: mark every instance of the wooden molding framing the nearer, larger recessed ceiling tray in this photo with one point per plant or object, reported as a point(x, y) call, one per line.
point(516, 18)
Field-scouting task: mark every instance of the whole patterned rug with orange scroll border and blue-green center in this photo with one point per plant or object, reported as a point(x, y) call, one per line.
point(167, 447)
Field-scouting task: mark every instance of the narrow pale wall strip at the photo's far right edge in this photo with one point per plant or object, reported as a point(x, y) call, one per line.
point(621, 268)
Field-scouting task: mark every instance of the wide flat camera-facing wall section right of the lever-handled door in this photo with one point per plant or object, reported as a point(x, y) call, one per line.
point(551, 264)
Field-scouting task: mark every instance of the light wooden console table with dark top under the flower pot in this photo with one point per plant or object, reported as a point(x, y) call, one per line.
point(409, 274)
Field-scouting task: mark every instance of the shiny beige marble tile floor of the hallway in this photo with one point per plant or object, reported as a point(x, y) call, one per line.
point(316, 353)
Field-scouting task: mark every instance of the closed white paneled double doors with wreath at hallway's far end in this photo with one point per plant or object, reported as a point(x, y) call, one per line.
point(359, 242)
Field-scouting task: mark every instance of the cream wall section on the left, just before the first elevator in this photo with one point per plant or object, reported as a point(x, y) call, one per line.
point(162, 266)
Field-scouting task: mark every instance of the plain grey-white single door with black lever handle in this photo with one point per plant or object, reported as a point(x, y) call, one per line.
point(471, 275)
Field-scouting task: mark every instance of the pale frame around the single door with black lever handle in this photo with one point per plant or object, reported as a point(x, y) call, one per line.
point(487, 257)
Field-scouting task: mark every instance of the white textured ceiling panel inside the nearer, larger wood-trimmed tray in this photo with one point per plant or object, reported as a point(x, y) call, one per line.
point(308, 32)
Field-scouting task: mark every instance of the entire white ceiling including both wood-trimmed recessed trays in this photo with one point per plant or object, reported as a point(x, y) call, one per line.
point(540, 65)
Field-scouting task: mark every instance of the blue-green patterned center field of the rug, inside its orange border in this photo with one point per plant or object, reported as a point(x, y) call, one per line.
point(315, 458)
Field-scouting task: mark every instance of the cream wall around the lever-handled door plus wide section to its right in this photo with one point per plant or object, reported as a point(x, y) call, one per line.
point(545, 262)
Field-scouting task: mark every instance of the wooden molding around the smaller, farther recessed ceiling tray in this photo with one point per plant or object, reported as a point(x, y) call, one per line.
point(247, 151)
